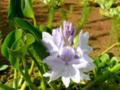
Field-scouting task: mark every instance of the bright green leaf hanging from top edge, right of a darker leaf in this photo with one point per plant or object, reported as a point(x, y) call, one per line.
point(27, 9)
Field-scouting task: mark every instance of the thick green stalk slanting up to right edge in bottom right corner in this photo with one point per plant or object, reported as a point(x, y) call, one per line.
point(103, 77)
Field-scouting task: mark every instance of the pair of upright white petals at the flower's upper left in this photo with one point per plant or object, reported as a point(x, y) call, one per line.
point(53, 42)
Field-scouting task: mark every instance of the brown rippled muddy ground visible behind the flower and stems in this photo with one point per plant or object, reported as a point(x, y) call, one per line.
point(98, 26)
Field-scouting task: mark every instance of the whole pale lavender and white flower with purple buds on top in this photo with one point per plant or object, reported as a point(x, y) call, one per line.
point(65, 60)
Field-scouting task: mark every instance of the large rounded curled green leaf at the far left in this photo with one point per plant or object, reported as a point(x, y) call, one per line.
point(12, 42)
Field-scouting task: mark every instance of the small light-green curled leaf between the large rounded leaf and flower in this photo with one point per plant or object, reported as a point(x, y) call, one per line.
point(20, 47)
